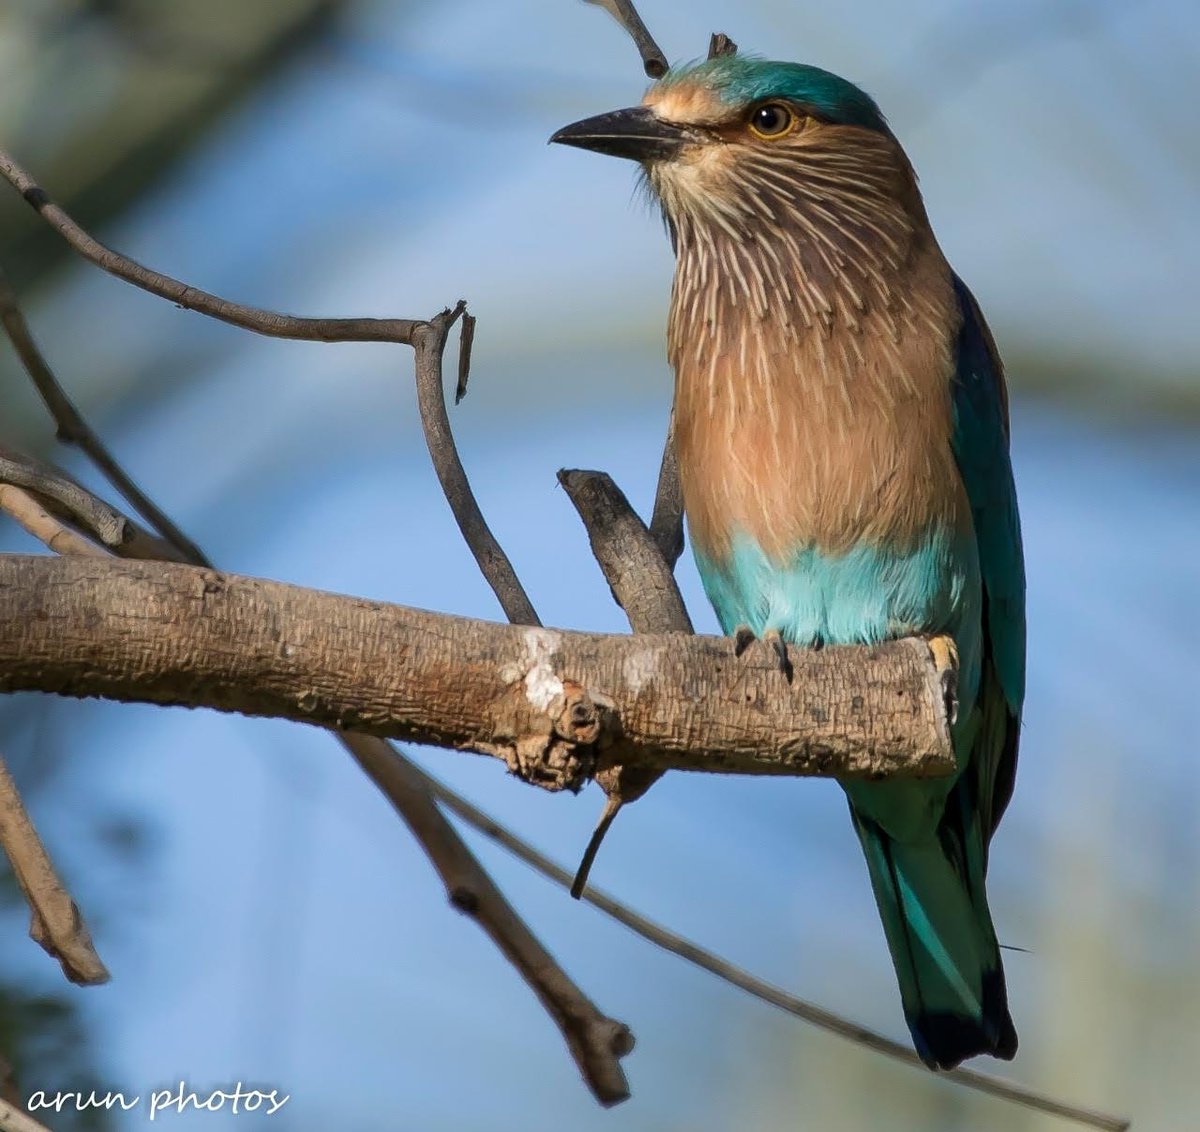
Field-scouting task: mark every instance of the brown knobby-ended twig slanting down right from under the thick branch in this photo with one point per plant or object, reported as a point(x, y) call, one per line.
point(597, 1043)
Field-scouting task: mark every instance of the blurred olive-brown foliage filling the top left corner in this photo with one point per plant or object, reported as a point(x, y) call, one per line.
point(161, 79)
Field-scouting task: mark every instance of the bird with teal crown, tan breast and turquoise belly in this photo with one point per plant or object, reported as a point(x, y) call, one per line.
point(843, 439)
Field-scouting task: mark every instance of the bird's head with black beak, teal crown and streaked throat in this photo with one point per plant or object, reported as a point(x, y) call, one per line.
point(739, 142)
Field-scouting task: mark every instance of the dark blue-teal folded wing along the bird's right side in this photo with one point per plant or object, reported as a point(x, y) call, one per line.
point(981, 447)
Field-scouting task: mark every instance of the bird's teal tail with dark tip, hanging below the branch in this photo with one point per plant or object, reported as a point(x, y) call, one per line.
point(939, 930)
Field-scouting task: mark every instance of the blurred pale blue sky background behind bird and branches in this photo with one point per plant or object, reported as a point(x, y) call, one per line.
point(284, 929)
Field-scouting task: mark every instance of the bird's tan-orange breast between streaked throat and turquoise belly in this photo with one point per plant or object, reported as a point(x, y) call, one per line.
point(813, 405)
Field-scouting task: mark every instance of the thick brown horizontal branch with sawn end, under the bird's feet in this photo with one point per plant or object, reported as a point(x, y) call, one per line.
point(555, 705)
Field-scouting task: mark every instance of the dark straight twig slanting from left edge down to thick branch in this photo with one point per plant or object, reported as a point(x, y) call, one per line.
point(73, 429)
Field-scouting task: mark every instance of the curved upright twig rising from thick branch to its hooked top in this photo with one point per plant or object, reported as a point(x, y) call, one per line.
point(429, 345)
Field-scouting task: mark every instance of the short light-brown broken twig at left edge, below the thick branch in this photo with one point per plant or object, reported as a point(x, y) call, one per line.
point(57, 923)
